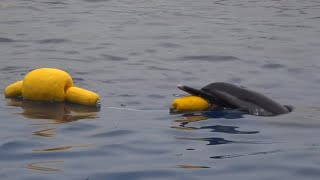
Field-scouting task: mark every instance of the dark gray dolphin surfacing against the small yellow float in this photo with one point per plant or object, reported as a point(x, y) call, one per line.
point(230, 96)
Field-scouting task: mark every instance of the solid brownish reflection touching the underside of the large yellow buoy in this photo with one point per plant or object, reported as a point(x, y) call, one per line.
point(59, 112)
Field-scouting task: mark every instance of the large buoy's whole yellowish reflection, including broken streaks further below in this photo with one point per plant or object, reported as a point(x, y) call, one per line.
point(53, 113)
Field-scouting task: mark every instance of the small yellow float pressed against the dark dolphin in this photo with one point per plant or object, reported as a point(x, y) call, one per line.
point(189, 103)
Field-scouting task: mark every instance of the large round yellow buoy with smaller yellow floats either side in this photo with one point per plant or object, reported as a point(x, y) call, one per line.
point(50, 84)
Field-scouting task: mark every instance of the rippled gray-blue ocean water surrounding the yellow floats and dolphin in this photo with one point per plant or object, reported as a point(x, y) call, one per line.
point(133, 54)
